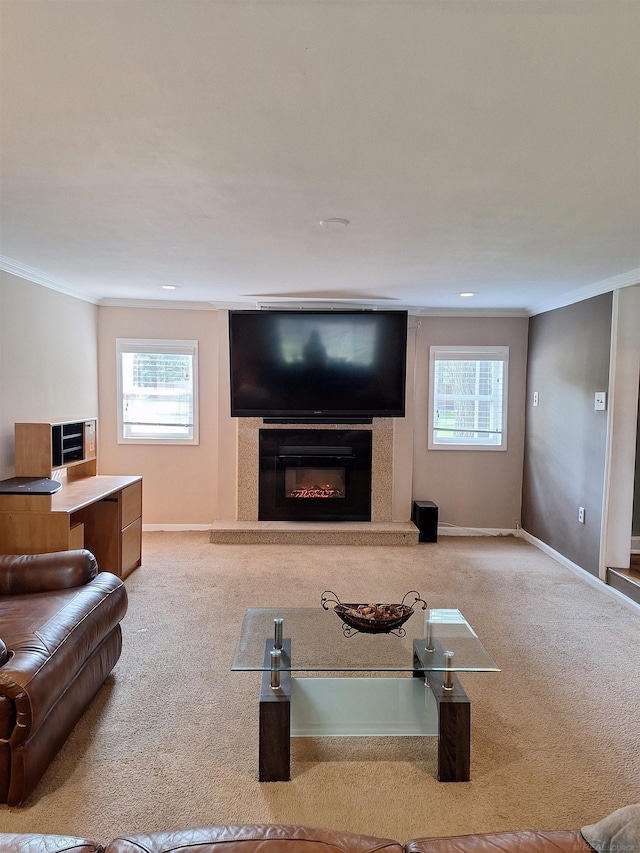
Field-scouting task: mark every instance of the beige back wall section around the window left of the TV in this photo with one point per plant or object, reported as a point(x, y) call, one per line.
point(179, 483)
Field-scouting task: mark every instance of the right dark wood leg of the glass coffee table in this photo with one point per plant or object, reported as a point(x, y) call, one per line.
point(454, 720)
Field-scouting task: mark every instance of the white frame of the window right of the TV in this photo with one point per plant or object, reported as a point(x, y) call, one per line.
point(469, 353)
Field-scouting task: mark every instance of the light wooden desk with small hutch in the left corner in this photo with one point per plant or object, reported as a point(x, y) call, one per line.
point(99, 512)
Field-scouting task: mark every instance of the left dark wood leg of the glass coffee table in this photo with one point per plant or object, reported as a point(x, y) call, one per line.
point(274, 744)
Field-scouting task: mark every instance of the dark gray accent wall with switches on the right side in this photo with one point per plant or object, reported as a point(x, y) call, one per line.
point(565, 438)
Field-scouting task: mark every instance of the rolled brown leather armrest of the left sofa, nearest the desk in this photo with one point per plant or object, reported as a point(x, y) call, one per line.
point(25, 573)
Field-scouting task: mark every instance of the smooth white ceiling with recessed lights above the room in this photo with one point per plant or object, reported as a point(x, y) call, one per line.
point(485, 145)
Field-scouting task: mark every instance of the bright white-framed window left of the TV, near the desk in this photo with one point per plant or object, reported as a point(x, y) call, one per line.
point(157, 391)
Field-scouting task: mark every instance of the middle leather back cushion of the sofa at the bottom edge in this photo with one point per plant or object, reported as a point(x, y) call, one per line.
point(253, 839)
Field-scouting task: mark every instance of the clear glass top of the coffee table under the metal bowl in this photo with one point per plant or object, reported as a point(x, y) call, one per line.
point(318, 643)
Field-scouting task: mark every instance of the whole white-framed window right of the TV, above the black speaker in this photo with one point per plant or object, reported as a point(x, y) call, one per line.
point(468, 398)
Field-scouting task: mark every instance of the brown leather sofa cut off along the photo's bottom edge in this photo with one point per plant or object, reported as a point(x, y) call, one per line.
point(296, 839)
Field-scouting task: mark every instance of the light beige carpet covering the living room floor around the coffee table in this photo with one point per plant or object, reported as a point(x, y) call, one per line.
point(171, 739)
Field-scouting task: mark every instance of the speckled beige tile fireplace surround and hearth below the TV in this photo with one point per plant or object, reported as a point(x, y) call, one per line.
point(380, 530)
